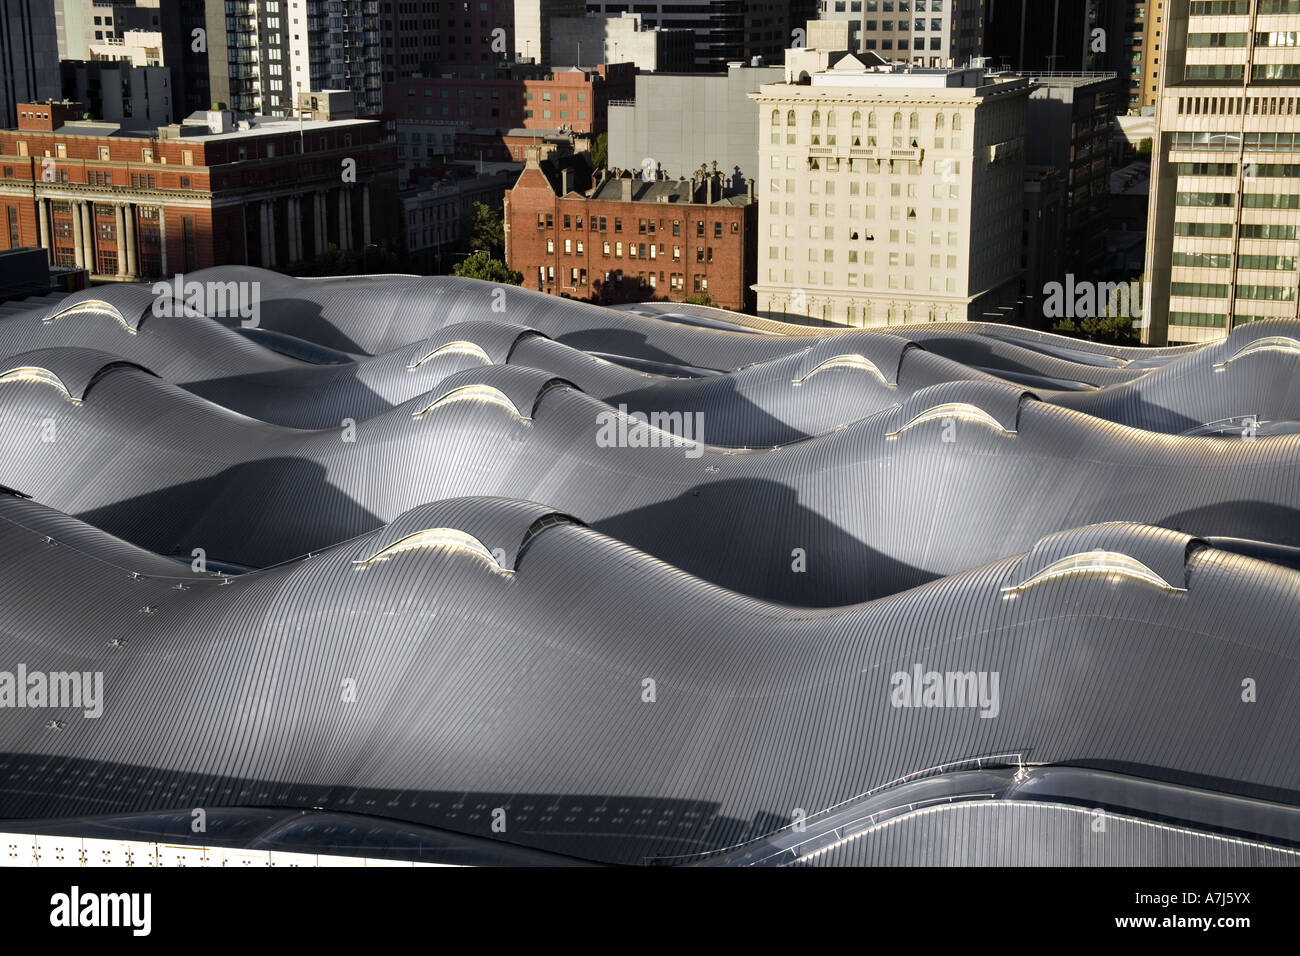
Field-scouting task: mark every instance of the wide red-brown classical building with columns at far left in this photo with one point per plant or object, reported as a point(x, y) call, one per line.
point(219, 189)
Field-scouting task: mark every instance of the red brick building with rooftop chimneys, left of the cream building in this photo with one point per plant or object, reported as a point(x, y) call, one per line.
point(619, 239)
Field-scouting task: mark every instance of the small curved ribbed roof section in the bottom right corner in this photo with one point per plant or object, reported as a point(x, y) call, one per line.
point(994, 833)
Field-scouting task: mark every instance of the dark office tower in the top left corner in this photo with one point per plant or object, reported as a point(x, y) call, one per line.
point(29, 57)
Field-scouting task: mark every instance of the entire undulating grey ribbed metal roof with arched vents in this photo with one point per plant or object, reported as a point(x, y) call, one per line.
point(474, 574)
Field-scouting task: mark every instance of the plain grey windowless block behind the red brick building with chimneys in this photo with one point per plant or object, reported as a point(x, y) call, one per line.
point(679, 122)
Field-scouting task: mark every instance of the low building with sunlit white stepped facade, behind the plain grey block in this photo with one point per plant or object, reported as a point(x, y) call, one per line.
point(582, 41)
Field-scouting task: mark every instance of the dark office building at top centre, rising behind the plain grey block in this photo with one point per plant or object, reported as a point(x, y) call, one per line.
point(726, 31)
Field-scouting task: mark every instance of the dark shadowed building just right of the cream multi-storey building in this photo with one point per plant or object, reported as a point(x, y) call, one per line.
point(1073, 118)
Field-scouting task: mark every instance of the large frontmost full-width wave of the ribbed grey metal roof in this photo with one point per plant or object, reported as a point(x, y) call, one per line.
point(478, 690)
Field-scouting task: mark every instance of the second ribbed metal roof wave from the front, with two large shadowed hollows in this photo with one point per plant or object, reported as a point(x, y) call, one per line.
point(870, 516)
